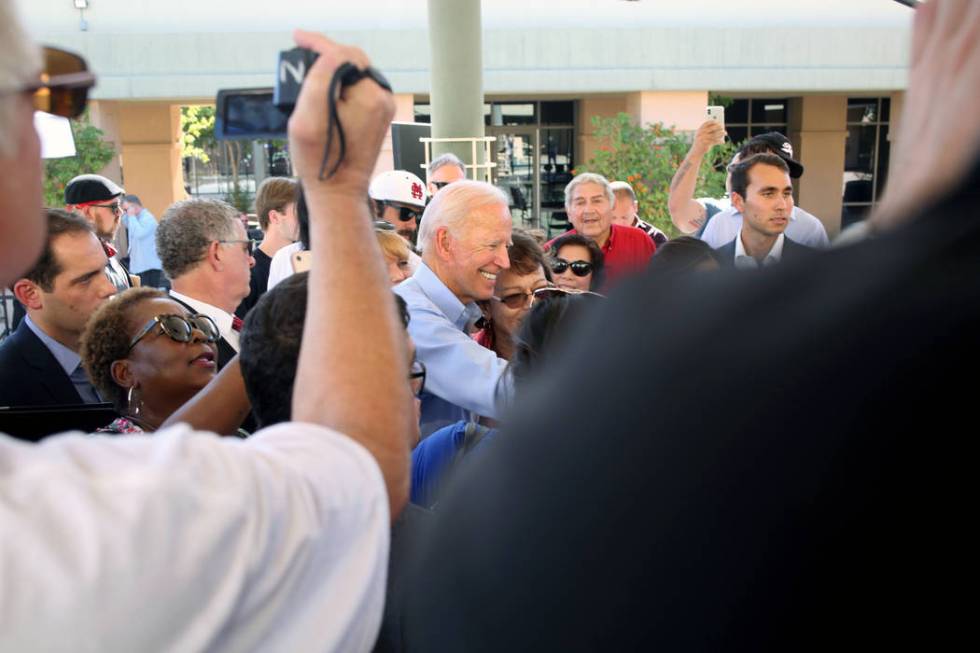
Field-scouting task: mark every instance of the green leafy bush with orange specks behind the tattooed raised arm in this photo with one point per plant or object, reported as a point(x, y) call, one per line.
point(647, 157)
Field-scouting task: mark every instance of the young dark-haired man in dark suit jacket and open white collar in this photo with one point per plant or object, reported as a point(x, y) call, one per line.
point(763, 193)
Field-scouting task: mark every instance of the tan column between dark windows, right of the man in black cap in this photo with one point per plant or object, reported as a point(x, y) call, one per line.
point(818, 131)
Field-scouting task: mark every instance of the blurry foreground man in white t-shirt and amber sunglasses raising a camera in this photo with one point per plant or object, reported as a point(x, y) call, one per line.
point(279, 542)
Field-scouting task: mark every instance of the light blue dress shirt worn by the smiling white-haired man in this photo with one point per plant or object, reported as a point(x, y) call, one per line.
point(463, 378)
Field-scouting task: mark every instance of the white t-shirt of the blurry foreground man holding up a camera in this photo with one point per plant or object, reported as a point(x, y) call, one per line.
point(184, 541)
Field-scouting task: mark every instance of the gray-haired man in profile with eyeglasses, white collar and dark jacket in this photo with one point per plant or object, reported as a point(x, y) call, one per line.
point(207, 255)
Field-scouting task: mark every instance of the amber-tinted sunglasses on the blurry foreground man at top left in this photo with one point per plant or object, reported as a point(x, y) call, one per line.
point(62, 87)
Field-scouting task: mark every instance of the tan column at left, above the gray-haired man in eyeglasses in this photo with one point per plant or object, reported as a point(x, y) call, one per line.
point(150, 133)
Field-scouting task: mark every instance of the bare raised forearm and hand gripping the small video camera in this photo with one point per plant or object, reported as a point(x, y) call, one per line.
point(352, 374)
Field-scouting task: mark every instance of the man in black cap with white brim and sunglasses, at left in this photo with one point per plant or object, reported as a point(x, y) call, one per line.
point(99, 200)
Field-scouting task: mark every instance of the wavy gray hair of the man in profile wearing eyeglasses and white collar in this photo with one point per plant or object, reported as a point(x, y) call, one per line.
point(187, 230)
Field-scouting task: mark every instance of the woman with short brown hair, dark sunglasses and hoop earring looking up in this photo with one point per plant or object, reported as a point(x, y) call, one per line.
point(147, 356)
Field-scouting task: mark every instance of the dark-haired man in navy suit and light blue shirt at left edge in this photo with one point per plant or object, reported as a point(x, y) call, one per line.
point(39, 362)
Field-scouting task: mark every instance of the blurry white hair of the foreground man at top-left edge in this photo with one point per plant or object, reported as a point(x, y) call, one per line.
point(20, 61)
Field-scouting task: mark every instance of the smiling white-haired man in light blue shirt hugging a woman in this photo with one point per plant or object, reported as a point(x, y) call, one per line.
point(464, 238)
